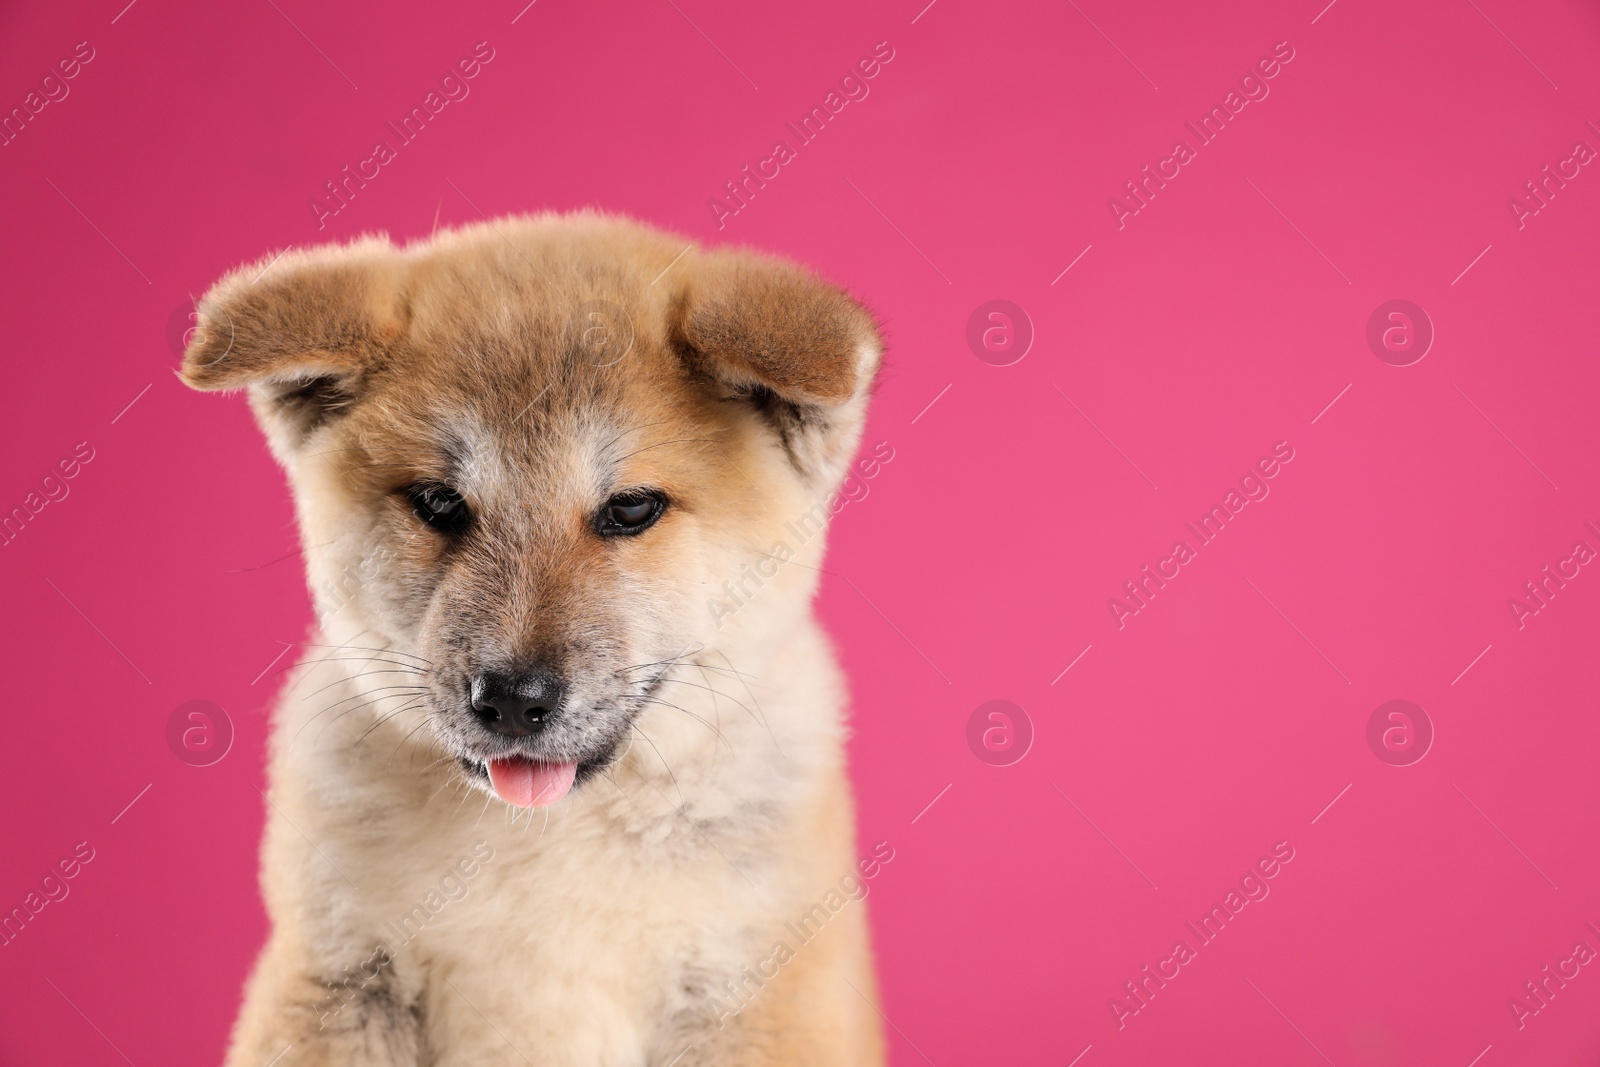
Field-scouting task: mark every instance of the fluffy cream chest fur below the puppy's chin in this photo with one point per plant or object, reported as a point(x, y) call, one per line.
point(610, 929)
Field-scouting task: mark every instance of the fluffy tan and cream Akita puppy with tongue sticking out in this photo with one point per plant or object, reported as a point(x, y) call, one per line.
point(540, 791)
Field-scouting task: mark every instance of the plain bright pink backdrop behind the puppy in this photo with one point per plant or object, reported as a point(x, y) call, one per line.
point(1225, 318)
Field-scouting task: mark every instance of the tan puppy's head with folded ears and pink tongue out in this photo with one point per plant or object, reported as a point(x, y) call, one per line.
point(530, 454)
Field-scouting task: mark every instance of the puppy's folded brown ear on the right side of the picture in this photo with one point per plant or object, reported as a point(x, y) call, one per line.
point(801, 351)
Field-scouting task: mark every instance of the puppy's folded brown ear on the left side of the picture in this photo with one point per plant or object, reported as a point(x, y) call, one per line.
point(302, 334)
